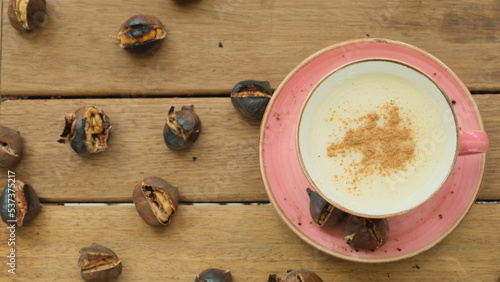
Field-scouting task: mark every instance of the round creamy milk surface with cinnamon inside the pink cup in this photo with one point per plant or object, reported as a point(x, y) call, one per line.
point(377, 137)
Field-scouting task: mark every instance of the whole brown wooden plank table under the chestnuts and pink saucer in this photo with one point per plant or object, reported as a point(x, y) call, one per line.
point(225, 219)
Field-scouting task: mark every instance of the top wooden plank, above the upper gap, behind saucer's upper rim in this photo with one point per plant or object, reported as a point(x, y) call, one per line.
point(75, 52)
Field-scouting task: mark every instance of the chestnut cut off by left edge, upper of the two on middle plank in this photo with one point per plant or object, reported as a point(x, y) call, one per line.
point(11, 147)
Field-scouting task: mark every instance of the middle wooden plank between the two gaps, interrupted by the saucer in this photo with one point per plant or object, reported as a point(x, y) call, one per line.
point(226, 168)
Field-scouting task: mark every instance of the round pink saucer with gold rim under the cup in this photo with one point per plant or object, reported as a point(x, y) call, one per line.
point(286, 184)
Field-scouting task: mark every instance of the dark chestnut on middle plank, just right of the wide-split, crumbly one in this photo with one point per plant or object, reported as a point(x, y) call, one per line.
point(182, 128)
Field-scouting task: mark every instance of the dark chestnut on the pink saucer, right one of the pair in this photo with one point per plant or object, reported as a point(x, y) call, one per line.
point(366, 233)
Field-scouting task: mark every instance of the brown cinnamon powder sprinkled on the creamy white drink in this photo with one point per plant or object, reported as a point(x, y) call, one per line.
point(384, 140)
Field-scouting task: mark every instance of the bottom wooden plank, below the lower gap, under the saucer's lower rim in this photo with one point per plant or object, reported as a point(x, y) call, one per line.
point(251, 241)
